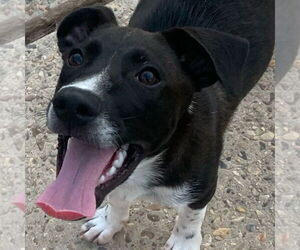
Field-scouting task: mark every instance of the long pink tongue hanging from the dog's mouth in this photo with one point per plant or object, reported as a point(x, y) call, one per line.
point(72, 195)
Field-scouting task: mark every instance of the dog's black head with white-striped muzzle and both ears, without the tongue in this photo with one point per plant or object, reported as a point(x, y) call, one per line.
point(122, 87)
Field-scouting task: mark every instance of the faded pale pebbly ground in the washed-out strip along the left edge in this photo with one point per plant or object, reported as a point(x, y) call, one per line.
point(12, 126)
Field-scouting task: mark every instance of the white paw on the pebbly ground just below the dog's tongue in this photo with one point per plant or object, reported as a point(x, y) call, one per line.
point(102, 227)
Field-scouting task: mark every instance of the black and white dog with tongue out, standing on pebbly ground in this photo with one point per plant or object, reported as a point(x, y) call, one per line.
point(141, 110)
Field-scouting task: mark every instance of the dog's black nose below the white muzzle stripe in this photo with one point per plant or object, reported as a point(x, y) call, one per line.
point(76, 106)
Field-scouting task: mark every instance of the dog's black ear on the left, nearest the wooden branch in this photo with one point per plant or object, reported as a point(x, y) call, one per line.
point(77, 26)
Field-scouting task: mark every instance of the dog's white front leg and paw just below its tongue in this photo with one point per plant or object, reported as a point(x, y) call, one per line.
point(108, 220)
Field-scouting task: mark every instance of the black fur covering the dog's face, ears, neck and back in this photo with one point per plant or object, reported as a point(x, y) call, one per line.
point(208, 52)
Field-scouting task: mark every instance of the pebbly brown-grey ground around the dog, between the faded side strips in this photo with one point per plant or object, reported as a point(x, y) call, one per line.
point(239, 217)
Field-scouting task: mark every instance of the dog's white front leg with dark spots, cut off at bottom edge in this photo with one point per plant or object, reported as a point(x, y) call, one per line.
point(186, 234)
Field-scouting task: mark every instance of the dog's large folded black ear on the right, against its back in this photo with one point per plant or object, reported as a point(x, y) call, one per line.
point(209, 55)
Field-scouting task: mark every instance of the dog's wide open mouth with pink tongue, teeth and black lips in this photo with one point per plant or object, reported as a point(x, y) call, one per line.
point(85, 176)
